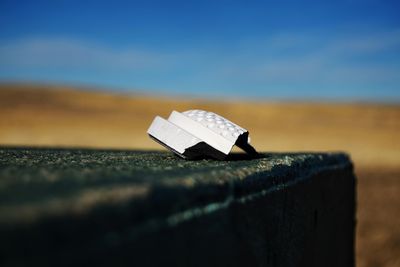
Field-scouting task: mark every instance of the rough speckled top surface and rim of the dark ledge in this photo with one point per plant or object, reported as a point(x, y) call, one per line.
point(147, 188)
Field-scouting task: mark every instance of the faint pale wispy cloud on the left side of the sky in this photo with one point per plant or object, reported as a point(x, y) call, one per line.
point(71, 53)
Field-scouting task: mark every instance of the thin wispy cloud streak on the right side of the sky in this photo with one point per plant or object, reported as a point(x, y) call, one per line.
point(309, 58)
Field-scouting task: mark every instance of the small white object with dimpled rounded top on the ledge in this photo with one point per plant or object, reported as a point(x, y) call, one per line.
point(199, 134)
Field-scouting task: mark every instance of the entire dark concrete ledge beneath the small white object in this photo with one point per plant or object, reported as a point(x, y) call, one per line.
point(86, 207)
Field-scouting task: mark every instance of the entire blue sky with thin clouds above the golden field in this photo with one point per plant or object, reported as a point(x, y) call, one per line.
point(296, 50)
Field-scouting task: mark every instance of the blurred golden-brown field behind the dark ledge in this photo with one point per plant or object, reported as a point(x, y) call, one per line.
point(45, 116)
